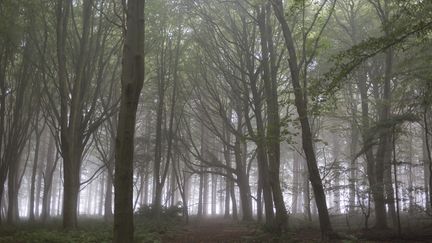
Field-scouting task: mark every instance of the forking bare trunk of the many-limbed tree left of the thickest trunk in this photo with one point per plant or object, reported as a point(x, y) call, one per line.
point(71, 115)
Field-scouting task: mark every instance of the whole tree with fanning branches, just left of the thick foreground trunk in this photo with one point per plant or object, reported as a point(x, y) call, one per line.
point(74, 96)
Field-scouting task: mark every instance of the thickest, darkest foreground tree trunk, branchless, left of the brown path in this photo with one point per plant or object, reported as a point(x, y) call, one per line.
point(132, 79)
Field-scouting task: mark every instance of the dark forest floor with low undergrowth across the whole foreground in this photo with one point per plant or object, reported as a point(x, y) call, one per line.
point(207, 230)
